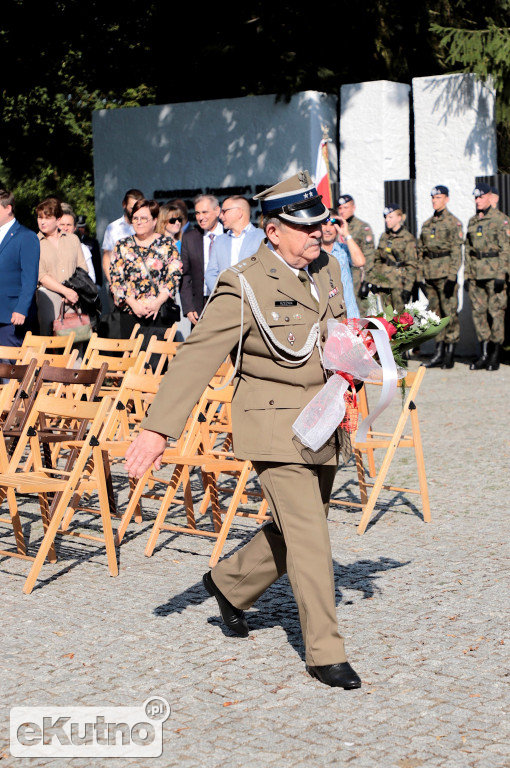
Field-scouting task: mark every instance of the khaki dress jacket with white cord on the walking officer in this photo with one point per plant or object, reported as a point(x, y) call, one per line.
point(269, 393)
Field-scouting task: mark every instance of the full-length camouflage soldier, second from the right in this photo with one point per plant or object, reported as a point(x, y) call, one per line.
point(439, 260)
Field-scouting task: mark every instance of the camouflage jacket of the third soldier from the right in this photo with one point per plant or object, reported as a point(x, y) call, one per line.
point(396, 261)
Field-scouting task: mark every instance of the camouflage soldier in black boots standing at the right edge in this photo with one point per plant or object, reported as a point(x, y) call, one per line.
point(487, 265)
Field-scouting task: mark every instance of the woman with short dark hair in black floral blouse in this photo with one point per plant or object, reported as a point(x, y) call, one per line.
point(145, 273)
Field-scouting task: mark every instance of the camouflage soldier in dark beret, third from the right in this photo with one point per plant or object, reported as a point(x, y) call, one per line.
point(393, 273)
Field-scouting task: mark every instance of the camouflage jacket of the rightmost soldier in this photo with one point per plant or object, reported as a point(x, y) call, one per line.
point(487, 246)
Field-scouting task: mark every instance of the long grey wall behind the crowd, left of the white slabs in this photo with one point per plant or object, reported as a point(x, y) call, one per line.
point(206, 145)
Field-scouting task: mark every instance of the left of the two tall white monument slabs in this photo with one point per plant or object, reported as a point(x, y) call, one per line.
point(374, 144)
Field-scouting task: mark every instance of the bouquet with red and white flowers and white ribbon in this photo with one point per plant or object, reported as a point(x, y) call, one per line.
point(355, 352)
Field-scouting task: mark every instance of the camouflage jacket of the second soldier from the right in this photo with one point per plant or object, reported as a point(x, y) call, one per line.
point(440, 247)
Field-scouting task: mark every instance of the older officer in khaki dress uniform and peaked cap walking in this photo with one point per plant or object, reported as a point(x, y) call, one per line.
point(273, 307)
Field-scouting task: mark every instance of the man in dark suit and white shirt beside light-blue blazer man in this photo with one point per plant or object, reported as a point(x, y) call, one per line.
point(195, 251)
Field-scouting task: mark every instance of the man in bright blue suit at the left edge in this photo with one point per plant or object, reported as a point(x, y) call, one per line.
point(19, 267)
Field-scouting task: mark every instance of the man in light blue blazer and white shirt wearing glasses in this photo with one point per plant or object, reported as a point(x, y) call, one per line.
point(240, 240)
